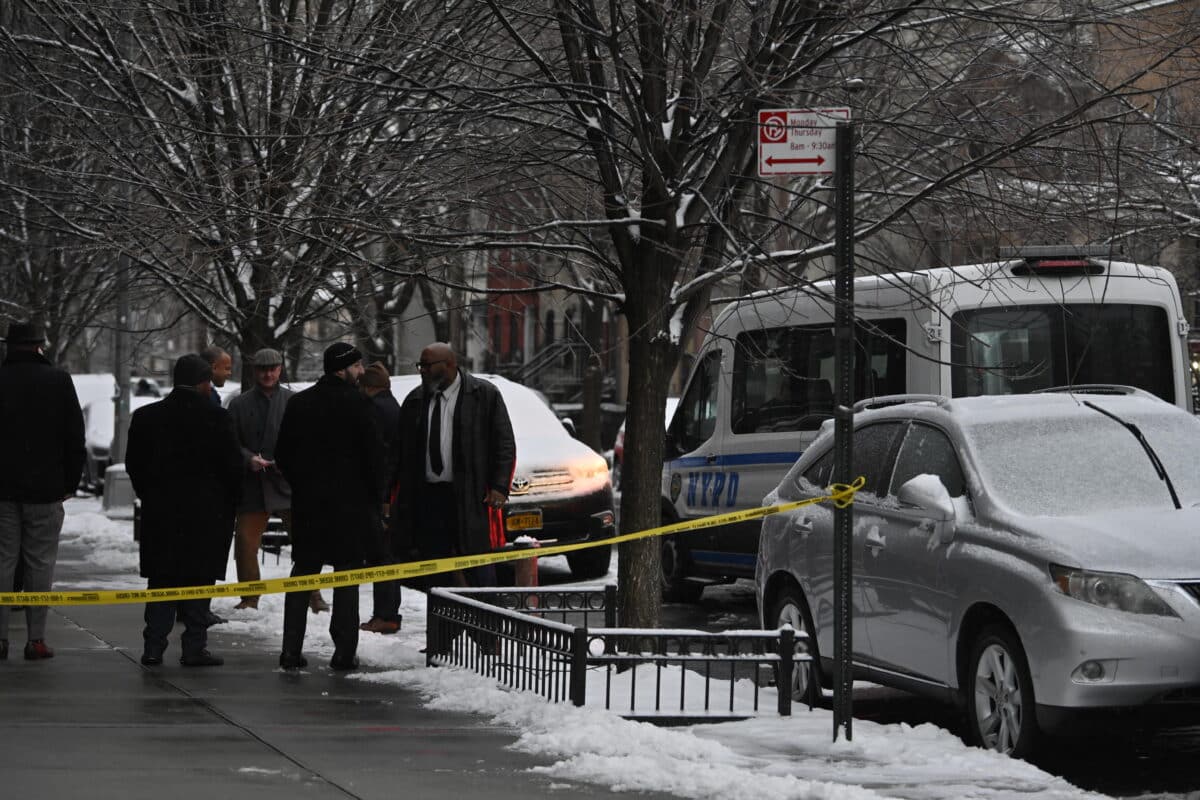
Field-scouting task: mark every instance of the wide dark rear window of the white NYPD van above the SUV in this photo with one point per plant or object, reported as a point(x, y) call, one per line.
point(1025, 348)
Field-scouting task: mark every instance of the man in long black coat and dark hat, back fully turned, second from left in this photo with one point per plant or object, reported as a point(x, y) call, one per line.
point(185, 466)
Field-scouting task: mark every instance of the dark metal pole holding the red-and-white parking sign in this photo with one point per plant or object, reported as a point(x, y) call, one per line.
point(844, 375)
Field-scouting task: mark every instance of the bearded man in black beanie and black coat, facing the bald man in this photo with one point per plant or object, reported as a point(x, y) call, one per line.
point(331, 452)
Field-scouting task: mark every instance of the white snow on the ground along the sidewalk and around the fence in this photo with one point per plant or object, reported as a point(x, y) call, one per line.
point(763, 759)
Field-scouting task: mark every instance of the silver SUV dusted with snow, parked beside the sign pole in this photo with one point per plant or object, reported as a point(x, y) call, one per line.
point(1035, 558)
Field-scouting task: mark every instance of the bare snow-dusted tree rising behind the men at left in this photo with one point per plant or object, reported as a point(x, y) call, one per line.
point(262, 152)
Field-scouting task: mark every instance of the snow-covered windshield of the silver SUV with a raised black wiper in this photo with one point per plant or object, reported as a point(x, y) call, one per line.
point(1066, 466)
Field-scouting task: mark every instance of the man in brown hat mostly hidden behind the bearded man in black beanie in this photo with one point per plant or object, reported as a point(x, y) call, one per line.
point(376, 384)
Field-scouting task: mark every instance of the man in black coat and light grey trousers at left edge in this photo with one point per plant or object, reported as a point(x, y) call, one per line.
point(41, 428)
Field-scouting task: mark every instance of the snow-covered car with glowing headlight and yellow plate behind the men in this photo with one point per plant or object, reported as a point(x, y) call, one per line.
point(561, 489)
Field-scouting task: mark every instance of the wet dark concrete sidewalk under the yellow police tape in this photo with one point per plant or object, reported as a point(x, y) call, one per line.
point(94, 724)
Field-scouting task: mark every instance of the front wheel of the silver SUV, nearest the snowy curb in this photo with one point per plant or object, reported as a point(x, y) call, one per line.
point(1000, 695)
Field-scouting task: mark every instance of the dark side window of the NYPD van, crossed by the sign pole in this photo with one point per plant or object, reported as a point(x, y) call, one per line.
point(784, 377)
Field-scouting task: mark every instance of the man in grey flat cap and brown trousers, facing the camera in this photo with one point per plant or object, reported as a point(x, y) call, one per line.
point(257, 414)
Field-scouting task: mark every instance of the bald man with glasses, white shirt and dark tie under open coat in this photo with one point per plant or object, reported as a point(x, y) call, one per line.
point(457, 462)
